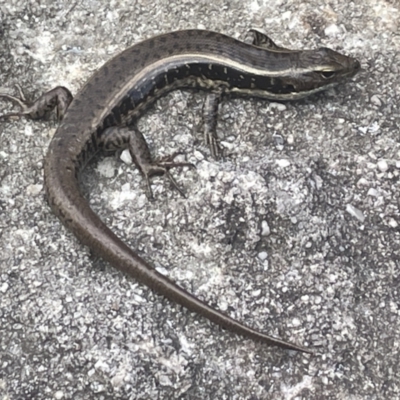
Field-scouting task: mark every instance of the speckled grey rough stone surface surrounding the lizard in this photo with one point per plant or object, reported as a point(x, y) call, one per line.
point(295, 232)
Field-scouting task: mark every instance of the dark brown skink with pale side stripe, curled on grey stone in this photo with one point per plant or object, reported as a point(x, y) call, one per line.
point(103, 114)
